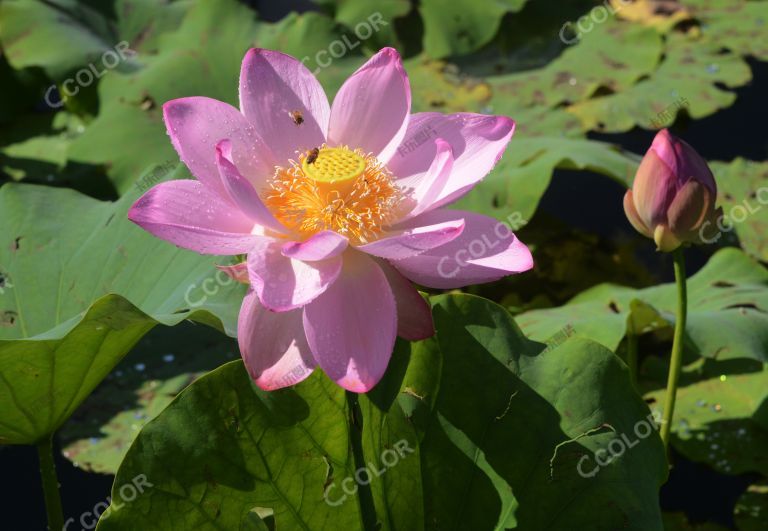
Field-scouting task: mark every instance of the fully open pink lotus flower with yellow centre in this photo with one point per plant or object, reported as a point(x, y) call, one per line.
point(338, 207)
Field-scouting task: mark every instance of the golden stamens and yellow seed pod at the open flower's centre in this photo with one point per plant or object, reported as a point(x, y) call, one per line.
point(337, 189)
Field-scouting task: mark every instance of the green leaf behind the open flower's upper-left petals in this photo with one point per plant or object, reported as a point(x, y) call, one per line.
point(201, 58)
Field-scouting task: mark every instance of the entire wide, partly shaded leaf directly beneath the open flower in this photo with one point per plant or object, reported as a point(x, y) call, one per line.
point(481, 429)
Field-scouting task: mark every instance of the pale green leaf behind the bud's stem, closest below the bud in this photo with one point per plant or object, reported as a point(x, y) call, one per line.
point(727, 310)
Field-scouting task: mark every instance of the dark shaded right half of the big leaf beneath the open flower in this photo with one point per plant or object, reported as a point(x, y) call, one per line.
point(524, 421)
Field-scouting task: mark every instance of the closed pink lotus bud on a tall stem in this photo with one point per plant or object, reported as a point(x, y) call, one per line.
point(673, 195)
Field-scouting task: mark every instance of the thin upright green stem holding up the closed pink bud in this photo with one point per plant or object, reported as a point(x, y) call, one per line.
point(676, 360)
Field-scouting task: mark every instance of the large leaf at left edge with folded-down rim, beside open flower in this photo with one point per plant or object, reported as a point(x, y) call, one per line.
point(81, 284)
